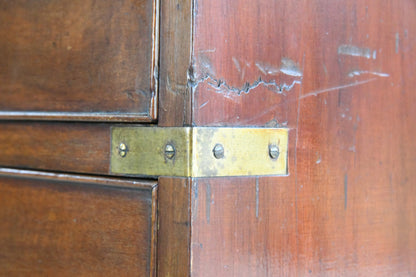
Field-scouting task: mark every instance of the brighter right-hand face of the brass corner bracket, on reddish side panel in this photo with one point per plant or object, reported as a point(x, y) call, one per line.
point(245, 151)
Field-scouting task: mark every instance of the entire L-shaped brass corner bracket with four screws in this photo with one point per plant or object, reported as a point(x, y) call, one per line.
point(198, 151)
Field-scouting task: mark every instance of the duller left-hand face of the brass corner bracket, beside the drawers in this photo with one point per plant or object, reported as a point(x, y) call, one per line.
point(148, 153)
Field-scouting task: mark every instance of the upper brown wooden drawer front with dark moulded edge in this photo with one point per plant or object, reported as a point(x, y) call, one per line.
point(78, 60)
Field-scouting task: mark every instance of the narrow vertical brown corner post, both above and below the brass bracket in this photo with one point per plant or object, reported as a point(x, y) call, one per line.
point(174, 194)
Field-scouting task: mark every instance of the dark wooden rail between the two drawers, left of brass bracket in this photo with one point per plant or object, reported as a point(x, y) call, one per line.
point(70, 147)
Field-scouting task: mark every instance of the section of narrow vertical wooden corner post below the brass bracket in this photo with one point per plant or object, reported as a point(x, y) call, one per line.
point(174, 227)
